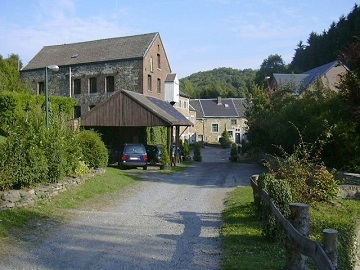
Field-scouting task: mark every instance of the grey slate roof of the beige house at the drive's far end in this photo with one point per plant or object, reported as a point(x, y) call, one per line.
point(229, 107)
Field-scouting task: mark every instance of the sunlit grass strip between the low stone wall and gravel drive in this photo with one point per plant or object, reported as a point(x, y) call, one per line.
point(16, 222)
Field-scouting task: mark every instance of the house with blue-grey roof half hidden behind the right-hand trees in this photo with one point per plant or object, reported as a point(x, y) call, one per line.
point(330, 75)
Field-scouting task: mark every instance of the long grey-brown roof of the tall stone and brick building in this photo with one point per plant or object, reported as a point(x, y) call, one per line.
point(110, 49)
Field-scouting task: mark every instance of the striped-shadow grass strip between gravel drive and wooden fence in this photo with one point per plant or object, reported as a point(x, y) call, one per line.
point(243, 245)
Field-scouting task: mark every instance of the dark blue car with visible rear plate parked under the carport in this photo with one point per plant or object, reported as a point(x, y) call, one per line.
point(132, 156)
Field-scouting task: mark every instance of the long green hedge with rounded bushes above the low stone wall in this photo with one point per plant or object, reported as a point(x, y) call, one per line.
point(32, 153)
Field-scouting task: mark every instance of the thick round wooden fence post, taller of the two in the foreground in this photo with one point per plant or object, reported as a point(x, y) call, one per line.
point(300, 219)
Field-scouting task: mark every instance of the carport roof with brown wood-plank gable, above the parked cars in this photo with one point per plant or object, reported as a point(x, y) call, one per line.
point(153, 111)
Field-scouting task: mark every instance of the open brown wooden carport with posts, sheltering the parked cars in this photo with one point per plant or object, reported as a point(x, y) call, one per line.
point(127, 112)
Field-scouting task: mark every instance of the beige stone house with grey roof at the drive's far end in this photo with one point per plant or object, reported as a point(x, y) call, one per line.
point(213, 116)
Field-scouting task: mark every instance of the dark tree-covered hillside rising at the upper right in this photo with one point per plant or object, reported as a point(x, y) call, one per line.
point(326, 47)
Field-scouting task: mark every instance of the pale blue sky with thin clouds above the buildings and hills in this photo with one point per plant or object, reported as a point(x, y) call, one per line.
point(198, 35)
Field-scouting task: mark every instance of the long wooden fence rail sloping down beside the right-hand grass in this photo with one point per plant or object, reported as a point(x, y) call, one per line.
point(307, 247)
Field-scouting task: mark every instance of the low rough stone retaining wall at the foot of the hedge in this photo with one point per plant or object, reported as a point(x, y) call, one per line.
point(28, 197)
